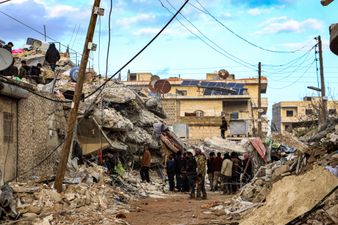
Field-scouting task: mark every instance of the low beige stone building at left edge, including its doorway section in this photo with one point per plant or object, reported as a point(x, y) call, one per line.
point(31, 128)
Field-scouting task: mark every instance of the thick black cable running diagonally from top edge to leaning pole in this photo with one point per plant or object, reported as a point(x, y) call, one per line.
point(138, 53)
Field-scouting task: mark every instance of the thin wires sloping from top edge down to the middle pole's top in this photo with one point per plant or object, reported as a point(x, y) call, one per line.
point(224, 53)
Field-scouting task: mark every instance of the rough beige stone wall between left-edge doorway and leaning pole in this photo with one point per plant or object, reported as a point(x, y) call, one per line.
point(42, 127)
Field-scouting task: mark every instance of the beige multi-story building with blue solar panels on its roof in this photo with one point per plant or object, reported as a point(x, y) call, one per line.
point(195, 107)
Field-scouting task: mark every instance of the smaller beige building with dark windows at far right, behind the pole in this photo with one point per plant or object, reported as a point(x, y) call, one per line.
point(289, 115)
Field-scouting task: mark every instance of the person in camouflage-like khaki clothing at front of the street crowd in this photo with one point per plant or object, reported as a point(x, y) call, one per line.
point(201, 172)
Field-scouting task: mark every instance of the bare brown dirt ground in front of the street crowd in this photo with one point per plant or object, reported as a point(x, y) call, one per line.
point(177, 209)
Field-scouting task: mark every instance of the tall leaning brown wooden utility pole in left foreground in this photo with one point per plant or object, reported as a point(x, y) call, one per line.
point(76, 100)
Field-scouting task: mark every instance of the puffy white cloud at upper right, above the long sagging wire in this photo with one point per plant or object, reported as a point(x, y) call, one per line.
point(287, 25)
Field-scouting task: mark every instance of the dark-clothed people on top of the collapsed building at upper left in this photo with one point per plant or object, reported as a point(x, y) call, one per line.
point(31, 72)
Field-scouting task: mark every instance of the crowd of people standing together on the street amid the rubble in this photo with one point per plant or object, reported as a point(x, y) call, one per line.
point(188, 172)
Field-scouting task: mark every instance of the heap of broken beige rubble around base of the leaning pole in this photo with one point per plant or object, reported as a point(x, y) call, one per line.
point(89, 197)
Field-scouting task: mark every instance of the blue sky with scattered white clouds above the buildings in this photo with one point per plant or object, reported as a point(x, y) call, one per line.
point(282, 25)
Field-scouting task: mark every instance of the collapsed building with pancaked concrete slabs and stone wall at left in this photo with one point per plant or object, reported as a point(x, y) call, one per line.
point(33, 118)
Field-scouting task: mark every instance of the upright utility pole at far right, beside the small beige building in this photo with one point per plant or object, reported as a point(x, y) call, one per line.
point(323, 116)
